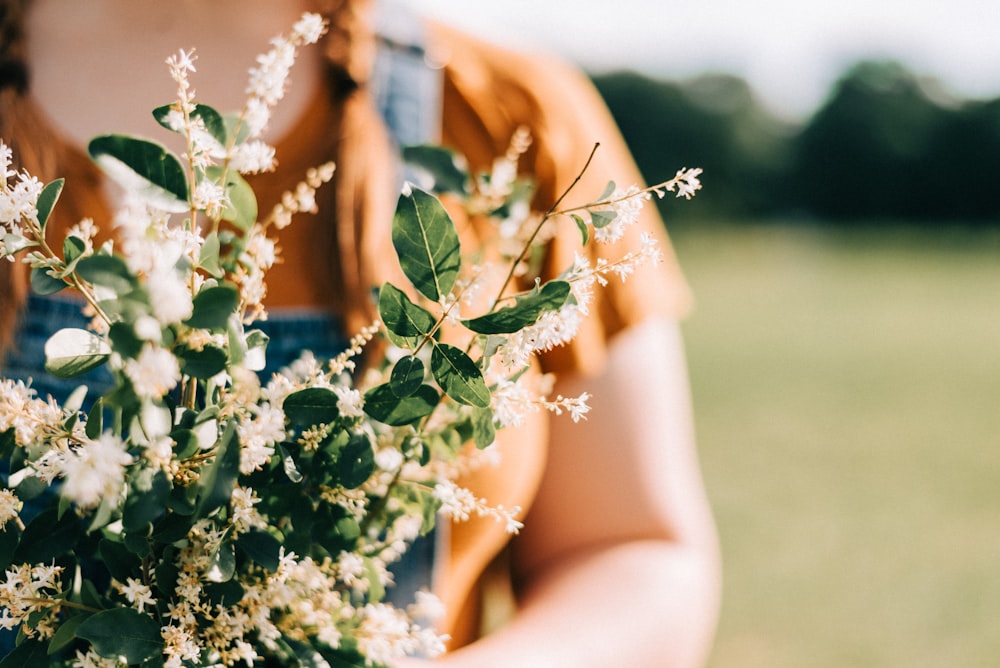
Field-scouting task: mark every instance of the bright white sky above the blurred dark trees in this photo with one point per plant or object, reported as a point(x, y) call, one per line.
point(791, 51)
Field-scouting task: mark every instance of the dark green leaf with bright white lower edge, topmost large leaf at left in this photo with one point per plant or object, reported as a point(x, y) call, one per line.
point(143, 167)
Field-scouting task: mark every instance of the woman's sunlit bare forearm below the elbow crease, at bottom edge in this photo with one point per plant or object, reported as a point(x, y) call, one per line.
point(642, 603)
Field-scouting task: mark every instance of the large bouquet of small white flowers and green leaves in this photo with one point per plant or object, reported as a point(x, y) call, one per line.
point(199, 515)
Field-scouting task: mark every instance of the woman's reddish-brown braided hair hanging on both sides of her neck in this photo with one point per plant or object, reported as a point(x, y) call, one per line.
point(360, 149)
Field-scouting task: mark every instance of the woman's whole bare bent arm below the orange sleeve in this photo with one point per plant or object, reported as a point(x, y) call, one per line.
point(619, 554)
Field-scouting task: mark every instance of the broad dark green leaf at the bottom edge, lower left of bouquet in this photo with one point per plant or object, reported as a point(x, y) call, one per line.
point(122, 632)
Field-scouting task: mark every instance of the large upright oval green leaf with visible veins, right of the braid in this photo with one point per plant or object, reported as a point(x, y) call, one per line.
point(426, 242)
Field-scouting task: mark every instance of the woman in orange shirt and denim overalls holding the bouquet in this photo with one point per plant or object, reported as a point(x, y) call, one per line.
point(617, 562)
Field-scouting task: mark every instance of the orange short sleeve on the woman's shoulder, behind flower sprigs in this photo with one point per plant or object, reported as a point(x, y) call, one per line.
point(490, 91)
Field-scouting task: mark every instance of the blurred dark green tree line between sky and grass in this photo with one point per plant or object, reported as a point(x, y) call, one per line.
point(886, 145)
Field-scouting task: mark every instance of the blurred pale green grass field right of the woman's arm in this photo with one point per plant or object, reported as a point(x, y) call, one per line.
point(847, 393)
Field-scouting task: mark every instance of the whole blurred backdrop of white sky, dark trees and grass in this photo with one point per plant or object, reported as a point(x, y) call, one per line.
point(844, 351)
